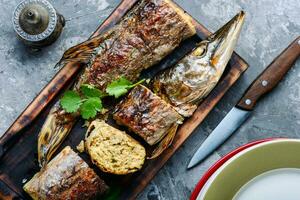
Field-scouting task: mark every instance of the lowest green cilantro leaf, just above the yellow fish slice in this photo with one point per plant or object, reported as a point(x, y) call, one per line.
point(90, 107)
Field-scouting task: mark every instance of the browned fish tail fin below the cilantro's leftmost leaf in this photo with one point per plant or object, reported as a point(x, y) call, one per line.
point(57, 126)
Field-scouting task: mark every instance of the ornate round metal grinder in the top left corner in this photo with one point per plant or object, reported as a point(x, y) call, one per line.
point(37, 23)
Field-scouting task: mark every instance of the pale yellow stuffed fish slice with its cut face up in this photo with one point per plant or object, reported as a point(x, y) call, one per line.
point(112, 150)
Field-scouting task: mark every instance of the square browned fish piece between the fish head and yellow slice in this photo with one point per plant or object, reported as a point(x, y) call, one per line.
point(146, 114)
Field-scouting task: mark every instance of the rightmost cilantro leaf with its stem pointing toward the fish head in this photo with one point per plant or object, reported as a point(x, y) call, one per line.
point(120, 87)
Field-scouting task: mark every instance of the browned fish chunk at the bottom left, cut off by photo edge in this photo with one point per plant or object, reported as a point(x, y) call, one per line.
point(66, 177)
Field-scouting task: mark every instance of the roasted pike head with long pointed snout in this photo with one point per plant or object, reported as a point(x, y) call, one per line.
point(187, 83)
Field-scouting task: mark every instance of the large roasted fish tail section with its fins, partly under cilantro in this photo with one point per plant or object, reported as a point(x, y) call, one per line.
point(145, 35)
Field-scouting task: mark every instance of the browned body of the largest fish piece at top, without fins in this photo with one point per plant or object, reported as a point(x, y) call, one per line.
point(152, 30)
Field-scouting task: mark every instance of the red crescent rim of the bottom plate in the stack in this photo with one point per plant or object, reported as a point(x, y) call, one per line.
point(219, 163)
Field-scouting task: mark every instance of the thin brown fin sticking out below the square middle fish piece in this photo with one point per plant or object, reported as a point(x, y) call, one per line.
point(165, 143)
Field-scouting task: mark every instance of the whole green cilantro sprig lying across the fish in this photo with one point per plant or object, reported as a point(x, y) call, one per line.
point(88, 101)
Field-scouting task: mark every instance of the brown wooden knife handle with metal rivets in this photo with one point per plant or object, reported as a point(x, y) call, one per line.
point(271, 76)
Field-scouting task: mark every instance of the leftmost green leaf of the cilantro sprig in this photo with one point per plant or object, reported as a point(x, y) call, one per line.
point(71, 101)
